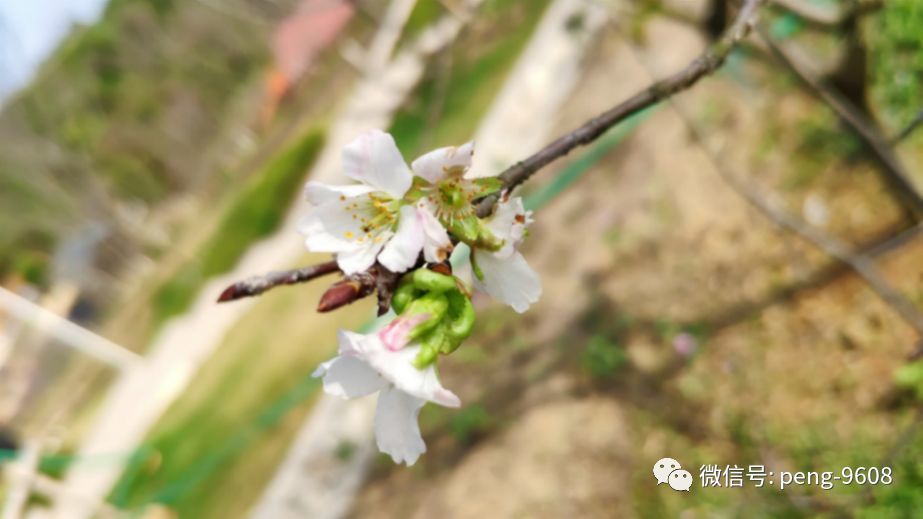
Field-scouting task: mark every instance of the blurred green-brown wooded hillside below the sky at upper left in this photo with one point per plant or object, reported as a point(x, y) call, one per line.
point(122, 111)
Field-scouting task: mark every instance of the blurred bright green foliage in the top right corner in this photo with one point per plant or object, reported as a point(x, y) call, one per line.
point(896, 60)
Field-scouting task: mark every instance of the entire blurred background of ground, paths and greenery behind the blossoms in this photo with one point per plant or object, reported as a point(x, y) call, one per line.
point(154, 151)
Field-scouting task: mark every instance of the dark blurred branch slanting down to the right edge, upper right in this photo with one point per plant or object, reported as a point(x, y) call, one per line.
point(893, 170)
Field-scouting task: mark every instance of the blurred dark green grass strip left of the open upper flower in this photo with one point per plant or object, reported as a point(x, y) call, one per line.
point(255, 212)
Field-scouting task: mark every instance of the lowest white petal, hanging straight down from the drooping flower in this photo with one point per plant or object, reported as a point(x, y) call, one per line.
point(396, 430)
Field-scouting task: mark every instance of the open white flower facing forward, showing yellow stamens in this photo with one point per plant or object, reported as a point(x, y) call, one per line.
point(364, 222)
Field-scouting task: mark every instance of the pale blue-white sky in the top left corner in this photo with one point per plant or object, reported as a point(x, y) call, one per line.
point(31, 29)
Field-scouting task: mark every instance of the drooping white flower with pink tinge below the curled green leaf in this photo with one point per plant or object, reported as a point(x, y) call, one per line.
point(366, 364)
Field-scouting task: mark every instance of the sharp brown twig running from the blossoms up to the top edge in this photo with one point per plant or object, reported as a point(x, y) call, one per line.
point(707, 63)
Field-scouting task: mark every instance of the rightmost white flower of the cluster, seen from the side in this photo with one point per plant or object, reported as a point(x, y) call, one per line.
point(505, 274)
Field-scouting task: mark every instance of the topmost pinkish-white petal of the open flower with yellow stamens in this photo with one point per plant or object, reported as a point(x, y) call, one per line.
point(374, 159)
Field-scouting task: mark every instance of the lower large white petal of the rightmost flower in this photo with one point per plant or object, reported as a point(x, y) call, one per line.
point(510, 280)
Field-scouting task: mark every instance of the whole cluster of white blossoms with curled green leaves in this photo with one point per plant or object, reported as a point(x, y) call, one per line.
point(408, 220)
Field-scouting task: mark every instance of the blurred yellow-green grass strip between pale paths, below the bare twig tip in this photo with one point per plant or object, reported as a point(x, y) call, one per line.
point(221, 441)
